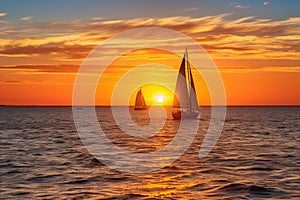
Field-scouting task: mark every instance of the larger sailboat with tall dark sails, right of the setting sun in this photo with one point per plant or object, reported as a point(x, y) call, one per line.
point(185, 103)
